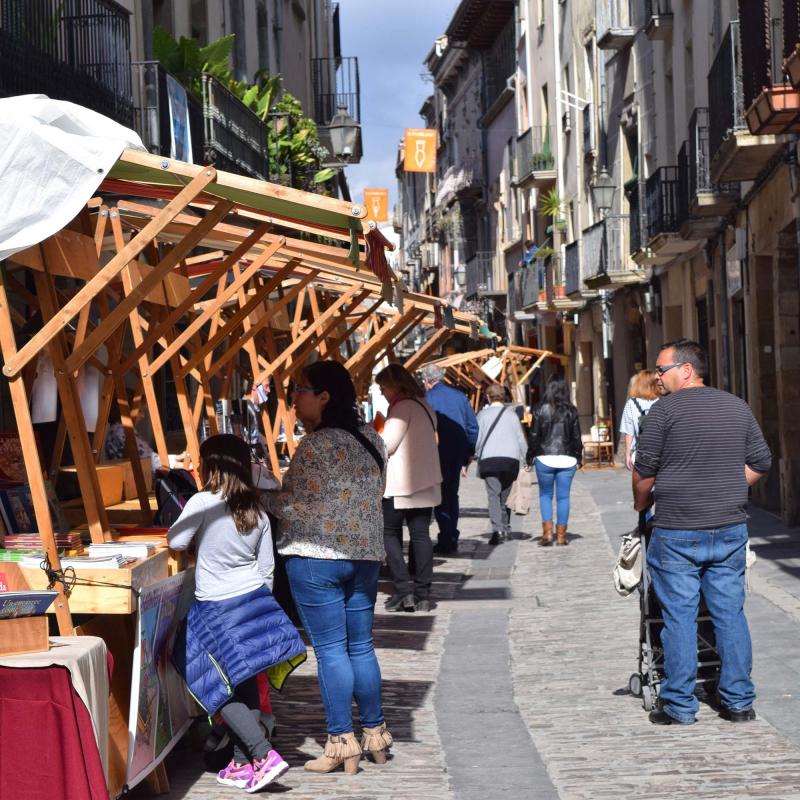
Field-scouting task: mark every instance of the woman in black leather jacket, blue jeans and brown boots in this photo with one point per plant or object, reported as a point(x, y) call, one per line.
point(555, 451)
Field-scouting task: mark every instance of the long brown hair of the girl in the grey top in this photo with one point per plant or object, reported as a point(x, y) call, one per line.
point(225, 470)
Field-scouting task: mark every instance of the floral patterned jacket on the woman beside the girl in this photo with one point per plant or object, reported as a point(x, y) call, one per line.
point(330, 503)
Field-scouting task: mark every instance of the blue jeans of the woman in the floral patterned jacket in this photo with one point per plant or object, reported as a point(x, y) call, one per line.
point(336, 603)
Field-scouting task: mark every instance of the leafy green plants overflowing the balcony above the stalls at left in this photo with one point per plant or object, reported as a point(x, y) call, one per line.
point(296, 144)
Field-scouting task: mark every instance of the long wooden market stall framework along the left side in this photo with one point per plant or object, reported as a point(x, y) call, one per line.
point(176, 273)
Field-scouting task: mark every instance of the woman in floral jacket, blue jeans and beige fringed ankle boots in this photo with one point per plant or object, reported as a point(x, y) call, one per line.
point(331, 535)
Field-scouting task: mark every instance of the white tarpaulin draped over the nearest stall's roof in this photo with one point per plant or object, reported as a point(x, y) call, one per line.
point(53, 156)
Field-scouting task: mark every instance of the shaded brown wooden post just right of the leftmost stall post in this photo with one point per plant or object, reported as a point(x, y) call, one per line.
point(73, 415)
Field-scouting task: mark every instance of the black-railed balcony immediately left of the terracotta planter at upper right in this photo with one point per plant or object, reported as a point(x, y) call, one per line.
point(736, 154)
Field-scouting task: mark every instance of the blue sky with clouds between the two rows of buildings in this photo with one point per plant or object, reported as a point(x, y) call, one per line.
point(390, 38)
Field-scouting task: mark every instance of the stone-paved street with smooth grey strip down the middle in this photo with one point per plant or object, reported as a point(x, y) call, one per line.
point(517, 682)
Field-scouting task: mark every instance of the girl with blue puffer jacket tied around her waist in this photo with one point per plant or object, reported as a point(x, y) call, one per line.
point(235, 628)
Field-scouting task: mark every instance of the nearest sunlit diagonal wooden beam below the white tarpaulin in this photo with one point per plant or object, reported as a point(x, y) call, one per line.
point(92, 287)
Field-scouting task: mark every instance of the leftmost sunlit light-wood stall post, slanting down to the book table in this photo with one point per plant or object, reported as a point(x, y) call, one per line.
point(30, 454)
